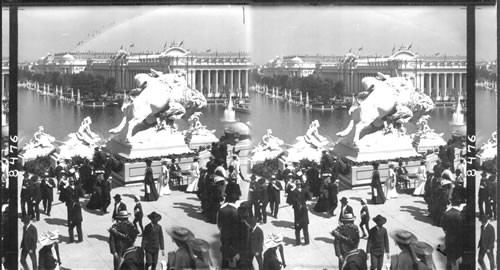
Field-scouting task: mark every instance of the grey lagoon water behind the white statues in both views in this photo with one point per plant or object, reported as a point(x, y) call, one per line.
point(287, 121)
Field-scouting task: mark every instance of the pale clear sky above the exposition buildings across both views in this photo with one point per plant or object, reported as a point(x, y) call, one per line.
point(265, 32)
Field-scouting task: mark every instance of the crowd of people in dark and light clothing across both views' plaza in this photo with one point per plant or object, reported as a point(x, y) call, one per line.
point(242, 240)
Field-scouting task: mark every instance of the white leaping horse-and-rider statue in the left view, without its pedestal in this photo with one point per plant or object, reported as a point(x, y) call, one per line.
point(159, 97)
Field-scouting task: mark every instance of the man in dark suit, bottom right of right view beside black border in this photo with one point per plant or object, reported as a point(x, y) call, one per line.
point(452, 224)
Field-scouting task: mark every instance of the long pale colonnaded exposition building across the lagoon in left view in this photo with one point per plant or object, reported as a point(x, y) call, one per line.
point(213, 73)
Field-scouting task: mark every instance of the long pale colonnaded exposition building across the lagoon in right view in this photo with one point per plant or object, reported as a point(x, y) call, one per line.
point(441, 77)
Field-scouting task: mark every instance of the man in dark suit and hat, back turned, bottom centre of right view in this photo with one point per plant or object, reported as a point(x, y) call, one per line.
point(378, 242)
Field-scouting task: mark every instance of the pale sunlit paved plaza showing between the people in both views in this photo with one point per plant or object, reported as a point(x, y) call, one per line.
point(183, 209)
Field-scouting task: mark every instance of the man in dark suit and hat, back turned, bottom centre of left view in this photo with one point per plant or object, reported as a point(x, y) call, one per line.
point(152, 241)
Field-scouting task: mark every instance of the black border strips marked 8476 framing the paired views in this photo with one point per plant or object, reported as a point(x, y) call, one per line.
point(470, 220)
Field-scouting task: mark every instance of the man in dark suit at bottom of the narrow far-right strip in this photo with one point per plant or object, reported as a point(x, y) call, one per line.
point(486, 243)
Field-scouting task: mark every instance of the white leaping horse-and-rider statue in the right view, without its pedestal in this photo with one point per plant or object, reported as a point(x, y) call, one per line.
point(386, 100)
